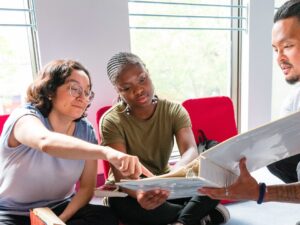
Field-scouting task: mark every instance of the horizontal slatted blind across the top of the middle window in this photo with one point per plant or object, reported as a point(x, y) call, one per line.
point(194, 15)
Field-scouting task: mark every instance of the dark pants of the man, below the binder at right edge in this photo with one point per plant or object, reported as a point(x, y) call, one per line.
point(286, 169)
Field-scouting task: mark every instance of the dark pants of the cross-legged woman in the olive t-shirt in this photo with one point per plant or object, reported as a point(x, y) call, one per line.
point(188, 211)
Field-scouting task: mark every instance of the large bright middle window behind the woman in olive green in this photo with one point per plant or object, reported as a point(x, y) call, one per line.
point(190, 47)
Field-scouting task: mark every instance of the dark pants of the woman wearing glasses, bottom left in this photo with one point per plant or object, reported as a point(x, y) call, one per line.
point(87, 215)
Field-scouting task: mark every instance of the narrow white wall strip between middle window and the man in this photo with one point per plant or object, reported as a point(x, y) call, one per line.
point(257, 64)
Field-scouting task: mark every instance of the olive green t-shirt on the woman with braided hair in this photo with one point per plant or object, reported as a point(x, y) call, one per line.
point(151, 140)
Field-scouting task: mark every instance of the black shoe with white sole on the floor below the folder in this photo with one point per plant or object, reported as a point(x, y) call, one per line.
point(218, 215)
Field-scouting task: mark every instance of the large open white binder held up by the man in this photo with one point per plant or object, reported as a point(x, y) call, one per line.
point(219, 166)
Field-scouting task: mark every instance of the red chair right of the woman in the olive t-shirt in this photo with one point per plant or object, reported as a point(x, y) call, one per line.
point(213, 115)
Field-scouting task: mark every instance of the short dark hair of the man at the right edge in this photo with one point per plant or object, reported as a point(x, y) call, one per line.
point(289, 9)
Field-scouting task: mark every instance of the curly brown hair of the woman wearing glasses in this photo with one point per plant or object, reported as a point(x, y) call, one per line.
point(52, 76)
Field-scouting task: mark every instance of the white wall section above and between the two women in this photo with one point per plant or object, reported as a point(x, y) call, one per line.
point(89, 31)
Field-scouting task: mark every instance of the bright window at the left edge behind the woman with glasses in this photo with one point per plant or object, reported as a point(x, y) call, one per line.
point(18, 51)
